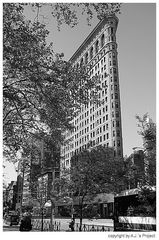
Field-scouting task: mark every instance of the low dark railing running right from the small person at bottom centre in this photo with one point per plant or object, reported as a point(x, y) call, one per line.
point(93, 228)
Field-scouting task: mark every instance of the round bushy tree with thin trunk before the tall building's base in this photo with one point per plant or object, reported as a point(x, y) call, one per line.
point(93, 171)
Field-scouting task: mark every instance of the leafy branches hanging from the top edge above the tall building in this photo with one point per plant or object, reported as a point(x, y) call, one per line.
point(67, 13)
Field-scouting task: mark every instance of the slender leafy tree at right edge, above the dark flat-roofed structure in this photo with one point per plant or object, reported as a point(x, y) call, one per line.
point(148, 133)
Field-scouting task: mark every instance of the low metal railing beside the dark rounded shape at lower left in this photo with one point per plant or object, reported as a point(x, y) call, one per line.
point(36, 224)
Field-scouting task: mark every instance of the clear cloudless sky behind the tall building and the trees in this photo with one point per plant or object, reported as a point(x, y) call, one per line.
point(136, 39)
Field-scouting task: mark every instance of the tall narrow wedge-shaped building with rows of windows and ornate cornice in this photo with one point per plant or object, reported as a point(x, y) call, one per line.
point(99, 124)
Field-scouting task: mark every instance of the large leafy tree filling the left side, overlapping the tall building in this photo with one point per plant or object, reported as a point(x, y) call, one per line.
point(41, 92)
